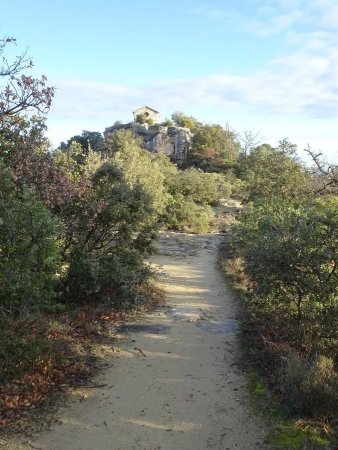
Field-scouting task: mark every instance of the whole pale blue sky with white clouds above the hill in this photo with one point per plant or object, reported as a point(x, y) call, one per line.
point(270, 67)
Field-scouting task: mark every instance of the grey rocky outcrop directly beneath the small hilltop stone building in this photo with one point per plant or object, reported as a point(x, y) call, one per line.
point(171, 141)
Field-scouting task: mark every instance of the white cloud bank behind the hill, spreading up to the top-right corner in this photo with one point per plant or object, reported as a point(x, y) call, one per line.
point(302, 82)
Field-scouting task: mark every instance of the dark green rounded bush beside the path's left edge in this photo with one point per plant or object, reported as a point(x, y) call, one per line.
point(106, 244)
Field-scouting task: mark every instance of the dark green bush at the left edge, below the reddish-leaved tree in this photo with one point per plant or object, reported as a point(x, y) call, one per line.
point(28, 247)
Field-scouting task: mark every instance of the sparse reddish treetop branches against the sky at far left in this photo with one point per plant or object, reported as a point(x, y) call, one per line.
point(21, 92)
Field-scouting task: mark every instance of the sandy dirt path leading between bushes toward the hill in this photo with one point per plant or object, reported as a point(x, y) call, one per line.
point(176, 383)
